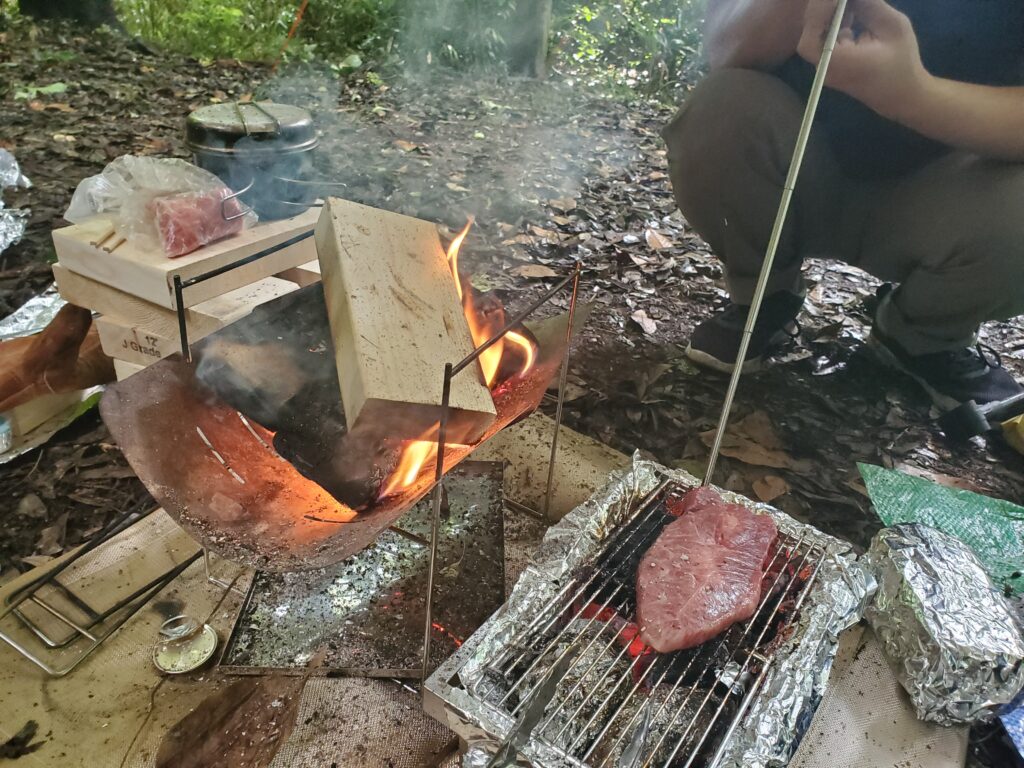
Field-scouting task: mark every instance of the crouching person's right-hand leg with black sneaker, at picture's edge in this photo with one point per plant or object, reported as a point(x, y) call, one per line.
point(953, 237)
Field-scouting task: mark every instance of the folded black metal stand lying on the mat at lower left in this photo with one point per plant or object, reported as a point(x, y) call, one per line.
point(94, 631)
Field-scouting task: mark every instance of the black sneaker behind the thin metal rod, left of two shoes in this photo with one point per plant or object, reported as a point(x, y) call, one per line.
point(715, 343)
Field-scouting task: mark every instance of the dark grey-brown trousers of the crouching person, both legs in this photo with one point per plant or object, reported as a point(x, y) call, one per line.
point(952, 234)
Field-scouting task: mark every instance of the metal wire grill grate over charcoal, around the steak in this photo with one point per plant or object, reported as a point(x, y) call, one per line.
point(620, 704)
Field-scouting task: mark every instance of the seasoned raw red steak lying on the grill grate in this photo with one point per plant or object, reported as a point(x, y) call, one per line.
point(703, 574)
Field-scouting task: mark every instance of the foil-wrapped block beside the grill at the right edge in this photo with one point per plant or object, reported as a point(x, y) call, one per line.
point(952, 637)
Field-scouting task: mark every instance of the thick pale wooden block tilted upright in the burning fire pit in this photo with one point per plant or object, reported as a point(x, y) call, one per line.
point(397, 320)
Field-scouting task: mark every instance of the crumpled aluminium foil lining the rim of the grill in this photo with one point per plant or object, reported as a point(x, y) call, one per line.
point(770, 735)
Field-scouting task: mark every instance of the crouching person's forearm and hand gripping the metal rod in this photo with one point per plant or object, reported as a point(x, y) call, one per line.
point(880, 65)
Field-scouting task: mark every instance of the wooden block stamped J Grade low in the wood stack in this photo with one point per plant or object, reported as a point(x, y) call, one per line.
point(140, 344)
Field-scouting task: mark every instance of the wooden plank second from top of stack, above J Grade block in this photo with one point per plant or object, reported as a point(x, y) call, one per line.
point(135, 313)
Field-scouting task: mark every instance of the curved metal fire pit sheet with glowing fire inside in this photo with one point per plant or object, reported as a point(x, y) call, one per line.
point(248, 448)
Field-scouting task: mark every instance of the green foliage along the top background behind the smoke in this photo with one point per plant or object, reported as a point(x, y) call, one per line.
point(646, 47)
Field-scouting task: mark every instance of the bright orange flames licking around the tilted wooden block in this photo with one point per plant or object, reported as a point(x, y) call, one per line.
point(482, 327)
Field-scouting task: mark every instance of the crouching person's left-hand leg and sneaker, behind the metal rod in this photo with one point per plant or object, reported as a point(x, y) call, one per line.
point(730, 151)
